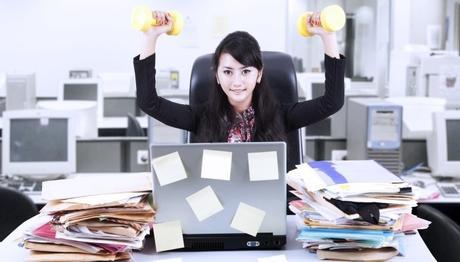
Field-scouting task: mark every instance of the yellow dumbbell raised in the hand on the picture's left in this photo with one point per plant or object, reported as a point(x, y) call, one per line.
point(142, 19)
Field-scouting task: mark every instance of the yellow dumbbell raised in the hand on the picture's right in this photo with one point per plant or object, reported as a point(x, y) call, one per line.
point(332, 19)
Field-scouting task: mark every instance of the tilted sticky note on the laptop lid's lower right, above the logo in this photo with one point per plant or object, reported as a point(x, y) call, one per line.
point(248, 219)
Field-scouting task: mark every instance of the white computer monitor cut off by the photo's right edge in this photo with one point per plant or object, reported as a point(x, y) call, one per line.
point(443, 145)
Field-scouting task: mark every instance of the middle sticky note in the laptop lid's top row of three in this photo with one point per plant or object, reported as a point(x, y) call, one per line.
point(216, 164)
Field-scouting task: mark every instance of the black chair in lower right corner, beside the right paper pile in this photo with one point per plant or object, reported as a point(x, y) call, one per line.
point(442, 236)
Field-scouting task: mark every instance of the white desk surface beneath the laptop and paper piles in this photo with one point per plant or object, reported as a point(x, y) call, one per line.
point(414, 246)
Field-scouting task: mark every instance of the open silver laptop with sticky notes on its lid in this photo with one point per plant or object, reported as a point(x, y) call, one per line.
point(215, 233)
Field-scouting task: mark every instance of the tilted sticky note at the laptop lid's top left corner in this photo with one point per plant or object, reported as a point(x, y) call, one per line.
point(169, 168)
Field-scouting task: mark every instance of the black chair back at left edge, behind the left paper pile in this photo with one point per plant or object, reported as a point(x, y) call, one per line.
point(16, 208)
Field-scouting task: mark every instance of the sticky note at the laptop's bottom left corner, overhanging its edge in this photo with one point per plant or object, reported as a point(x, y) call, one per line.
point(168, 235)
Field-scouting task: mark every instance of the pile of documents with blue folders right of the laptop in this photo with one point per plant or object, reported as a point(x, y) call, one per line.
point(352, 210)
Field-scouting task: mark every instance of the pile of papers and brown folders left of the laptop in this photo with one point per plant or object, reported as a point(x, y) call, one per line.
point(91, 219)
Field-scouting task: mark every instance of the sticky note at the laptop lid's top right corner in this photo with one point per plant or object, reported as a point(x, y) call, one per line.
point(263, 166)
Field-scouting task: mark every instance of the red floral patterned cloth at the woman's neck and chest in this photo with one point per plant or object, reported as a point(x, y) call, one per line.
point(243, 127)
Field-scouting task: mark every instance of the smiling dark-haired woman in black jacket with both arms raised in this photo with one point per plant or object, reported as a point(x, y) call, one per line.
point(241, 107)
